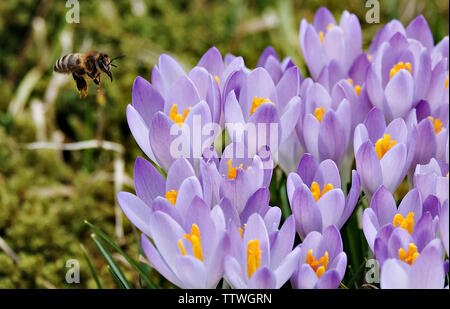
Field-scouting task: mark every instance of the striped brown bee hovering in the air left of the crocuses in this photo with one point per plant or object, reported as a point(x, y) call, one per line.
point(79, 65)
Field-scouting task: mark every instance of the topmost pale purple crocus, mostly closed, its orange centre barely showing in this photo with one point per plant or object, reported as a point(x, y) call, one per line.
point(330, 49)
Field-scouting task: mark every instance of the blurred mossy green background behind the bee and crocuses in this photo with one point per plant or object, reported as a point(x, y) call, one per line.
point(46, 194)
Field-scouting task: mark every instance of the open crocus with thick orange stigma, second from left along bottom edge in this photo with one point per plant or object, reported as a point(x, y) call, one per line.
point(257, 261)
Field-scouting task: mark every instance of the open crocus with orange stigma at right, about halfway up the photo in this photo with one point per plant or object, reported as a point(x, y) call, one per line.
point(383, 153)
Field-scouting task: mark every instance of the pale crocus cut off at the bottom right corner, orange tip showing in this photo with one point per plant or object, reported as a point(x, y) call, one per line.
point(413, 270)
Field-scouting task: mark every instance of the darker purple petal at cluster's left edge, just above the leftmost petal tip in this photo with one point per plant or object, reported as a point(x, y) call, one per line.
point(148, 182)
